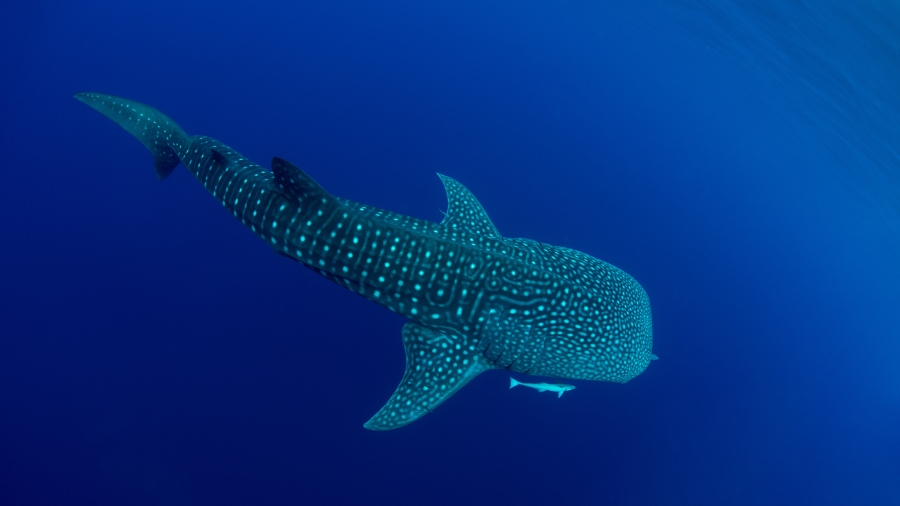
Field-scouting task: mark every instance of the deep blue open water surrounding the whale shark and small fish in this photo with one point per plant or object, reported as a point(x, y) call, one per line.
point(739, 159)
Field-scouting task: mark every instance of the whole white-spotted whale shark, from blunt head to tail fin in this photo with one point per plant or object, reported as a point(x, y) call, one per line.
point(475, 300)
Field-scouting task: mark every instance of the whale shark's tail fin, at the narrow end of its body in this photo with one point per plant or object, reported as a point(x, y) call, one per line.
point(162, 136)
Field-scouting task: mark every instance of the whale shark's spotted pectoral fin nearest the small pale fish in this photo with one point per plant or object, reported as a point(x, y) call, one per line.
point(436, 367)
